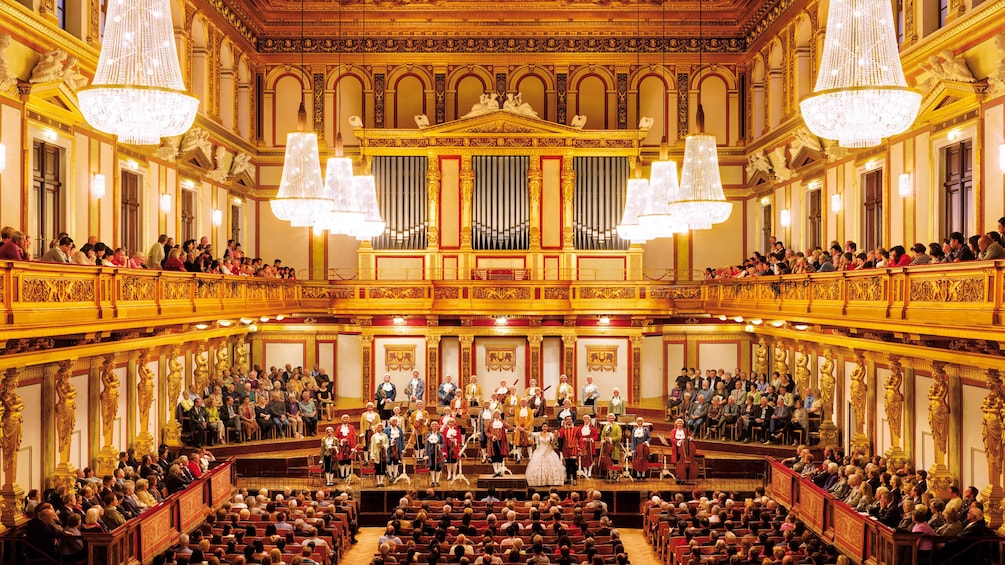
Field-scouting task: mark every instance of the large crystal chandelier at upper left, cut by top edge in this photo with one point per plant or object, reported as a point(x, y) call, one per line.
point(138, 93)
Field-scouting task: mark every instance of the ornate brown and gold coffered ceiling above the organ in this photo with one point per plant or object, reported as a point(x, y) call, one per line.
point(504, 27)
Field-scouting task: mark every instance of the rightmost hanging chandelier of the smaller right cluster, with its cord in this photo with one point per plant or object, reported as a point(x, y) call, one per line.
point(701, 202)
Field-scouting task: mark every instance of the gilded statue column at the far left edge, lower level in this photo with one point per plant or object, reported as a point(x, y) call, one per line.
point(12, 407)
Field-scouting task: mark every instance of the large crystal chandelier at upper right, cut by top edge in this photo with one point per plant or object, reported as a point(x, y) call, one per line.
point(861, 95)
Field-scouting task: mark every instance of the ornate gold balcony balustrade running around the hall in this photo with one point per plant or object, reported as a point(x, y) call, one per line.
point(962, 300)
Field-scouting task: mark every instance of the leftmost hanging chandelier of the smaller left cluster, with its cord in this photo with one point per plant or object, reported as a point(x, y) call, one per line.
point(303, 197)
